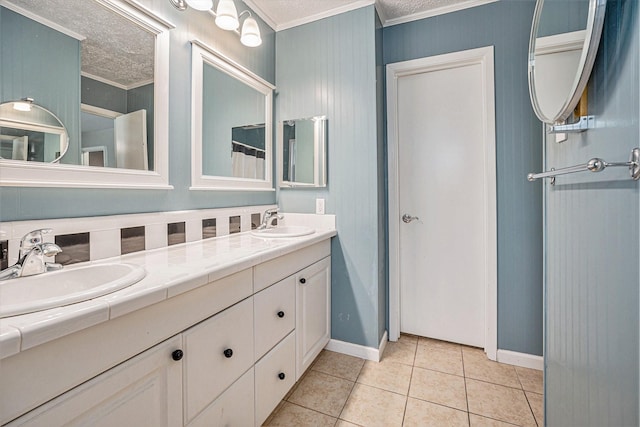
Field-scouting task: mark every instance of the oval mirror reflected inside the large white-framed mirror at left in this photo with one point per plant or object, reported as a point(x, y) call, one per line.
point(31, 133)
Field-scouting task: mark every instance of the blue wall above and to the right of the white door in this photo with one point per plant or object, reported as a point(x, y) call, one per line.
point(506, 26)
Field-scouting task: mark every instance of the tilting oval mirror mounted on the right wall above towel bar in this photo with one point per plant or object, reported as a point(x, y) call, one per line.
point(562, 49)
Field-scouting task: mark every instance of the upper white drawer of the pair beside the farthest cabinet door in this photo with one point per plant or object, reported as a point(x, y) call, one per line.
point(275, 314)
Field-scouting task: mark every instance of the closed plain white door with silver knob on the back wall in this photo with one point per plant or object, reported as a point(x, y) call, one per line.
point(444, 136)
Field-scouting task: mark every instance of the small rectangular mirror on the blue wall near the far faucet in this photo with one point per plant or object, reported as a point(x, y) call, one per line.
point(302, 152)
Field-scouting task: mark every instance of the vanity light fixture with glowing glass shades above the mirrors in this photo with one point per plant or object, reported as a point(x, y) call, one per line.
point(227, 18)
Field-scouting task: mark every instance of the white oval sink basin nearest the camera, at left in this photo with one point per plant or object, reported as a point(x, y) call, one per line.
point(67, 286)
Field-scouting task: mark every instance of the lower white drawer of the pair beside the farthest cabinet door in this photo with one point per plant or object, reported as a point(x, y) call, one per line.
point(275, 375)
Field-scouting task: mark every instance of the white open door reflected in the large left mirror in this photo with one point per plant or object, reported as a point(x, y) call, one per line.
point(131, 140)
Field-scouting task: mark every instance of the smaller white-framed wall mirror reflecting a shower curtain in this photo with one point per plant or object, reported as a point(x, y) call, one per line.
point(231, 125)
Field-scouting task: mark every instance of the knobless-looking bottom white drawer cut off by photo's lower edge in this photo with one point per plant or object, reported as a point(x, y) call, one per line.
point(232, 408)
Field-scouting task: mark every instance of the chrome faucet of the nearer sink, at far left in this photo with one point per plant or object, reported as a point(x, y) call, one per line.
point(31, 259)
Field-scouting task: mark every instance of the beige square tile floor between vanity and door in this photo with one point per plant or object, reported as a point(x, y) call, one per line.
point(419, 382)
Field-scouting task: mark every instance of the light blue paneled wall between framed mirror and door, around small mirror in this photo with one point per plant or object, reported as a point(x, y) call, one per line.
point(328, 67)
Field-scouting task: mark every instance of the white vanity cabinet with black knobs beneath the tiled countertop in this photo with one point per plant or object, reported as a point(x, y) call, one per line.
point(224, 353)
